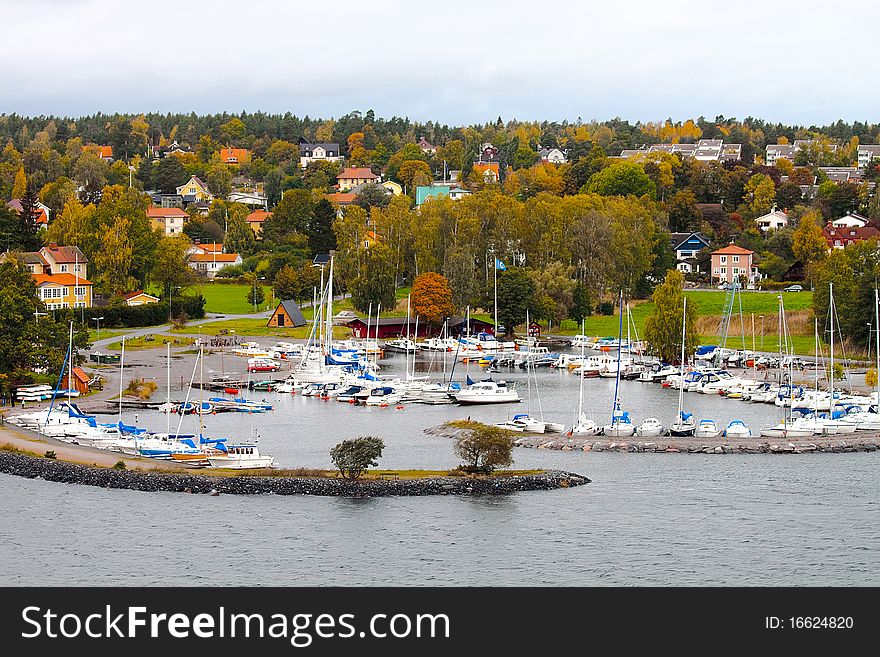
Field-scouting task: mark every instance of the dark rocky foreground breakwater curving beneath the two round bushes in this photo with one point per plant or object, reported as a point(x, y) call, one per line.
point(35, 467)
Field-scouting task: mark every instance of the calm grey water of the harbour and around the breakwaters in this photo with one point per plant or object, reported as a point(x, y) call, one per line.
point(645, 520)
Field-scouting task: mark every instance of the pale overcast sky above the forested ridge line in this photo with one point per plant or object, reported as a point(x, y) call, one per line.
point(451, 61)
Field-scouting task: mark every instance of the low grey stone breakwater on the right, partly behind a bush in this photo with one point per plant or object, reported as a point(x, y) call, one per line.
point(673, 445)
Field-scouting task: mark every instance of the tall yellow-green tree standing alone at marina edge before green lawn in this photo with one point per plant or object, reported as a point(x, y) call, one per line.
point(663, 328)
